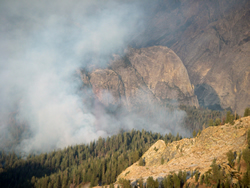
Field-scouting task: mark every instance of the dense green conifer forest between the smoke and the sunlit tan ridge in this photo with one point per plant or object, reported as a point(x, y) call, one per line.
point(98, 162)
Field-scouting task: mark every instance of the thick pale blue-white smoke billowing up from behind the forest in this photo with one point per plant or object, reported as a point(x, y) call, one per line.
point(43, 44)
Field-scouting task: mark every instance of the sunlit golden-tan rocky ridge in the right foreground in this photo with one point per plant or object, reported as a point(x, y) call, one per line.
point(194, 154)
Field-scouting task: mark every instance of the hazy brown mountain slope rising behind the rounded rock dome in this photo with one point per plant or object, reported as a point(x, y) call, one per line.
point(212, 38)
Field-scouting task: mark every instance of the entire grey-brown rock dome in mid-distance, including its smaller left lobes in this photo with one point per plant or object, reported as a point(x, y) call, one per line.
point(143, 75)
